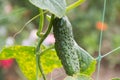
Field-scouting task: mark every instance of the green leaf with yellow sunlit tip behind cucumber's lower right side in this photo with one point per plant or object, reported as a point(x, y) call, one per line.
point(87, 62)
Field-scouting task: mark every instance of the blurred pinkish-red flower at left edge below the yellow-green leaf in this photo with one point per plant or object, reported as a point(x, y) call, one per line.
point(6, 63)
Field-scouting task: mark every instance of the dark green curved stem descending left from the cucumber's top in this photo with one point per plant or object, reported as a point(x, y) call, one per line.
point(45, 35)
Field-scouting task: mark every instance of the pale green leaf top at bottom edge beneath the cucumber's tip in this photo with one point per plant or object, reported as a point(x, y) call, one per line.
point(78, 77)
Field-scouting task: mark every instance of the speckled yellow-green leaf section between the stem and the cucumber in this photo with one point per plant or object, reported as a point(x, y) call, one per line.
point(50, 61)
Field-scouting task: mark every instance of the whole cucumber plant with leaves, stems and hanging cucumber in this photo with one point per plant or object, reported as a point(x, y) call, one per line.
point(78, 63)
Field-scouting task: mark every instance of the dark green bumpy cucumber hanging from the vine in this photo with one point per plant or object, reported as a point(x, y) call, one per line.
point(65, 45)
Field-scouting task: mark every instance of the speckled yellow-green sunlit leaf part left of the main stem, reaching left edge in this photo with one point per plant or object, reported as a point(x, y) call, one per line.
point(25, 57)
